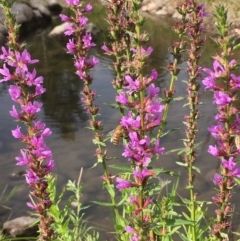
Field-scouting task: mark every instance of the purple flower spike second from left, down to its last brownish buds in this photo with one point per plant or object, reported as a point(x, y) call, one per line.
point(79, 44)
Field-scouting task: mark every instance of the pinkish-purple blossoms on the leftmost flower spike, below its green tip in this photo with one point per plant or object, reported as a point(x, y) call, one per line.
point(36, 156)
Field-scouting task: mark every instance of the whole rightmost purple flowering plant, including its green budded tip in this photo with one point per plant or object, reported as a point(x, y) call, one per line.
point(225, 85)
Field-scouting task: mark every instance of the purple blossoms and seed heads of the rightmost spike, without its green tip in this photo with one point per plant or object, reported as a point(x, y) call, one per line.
point(226, 133)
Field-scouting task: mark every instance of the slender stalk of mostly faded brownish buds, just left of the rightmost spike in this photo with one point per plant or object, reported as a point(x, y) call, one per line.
point(193, 15)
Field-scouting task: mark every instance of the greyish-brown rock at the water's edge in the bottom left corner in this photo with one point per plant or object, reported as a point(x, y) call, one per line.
point(24, 226)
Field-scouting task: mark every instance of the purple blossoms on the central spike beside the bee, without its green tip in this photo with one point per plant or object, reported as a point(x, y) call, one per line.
point(143, 116)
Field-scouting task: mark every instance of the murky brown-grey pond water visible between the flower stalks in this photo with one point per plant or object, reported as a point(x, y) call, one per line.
point(71, 141)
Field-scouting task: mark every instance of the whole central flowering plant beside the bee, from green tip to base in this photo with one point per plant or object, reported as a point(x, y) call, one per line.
point(139, 97)
